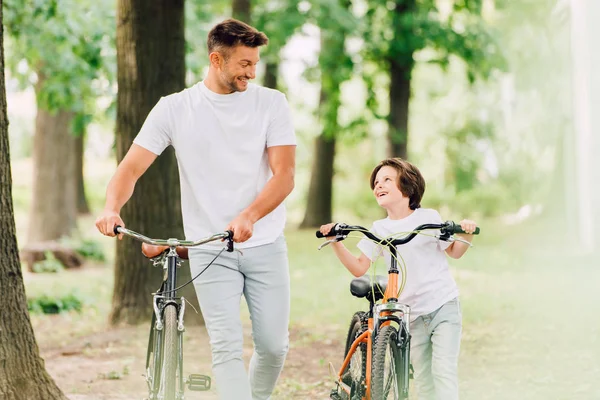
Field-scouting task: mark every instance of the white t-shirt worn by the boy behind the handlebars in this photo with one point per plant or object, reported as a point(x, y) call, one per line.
point(429, 283)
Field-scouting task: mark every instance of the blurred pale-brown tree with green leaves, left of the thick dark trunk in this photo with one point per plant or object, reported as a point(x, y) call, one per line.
point(60, 43)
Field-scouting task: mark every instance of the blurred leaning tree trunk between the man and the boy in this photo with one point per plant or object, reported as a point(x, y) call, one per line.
point(335, 68)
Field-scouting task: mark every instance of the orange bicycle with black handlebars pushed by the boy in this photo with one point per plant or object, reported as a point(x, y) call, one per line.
point(374, 346)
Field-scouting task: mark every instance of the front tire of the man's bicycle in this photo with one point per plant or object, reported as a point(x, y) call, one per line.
point(170, 353)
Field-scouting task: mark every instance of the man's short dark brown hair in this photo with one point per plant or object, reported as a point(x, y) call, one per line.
point(231, 33)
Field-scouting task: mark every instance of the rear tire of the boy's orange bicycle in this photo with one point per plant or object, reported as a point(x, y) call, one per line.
point(349, 375)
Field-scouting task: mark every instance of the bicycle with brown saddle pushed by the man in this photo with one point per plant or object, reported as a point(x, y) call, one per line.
point(164, 358)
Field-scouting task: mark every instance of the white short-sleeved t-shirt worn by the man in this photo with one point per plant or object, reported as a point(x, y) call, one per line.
point(221, 145)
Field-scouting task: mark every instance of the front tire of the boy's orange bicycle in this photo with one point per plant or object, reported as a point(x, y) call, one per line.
point(382, 384)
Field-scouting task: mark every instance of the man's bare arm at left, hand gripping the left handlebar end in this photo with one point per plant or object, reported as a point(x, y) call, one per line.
point(120, 188)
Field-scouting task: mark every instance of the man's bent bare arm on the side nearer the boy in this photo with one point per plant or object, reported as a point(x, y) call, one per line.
point(282, 160)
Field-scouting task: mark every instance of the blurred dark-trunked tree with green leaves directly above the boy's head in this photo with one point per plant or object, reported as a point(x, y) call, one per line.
point(397, 29)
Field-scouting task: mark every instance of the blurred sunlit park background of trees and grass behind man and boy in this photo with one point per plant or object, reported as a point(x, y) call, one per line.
point(496, 101)
